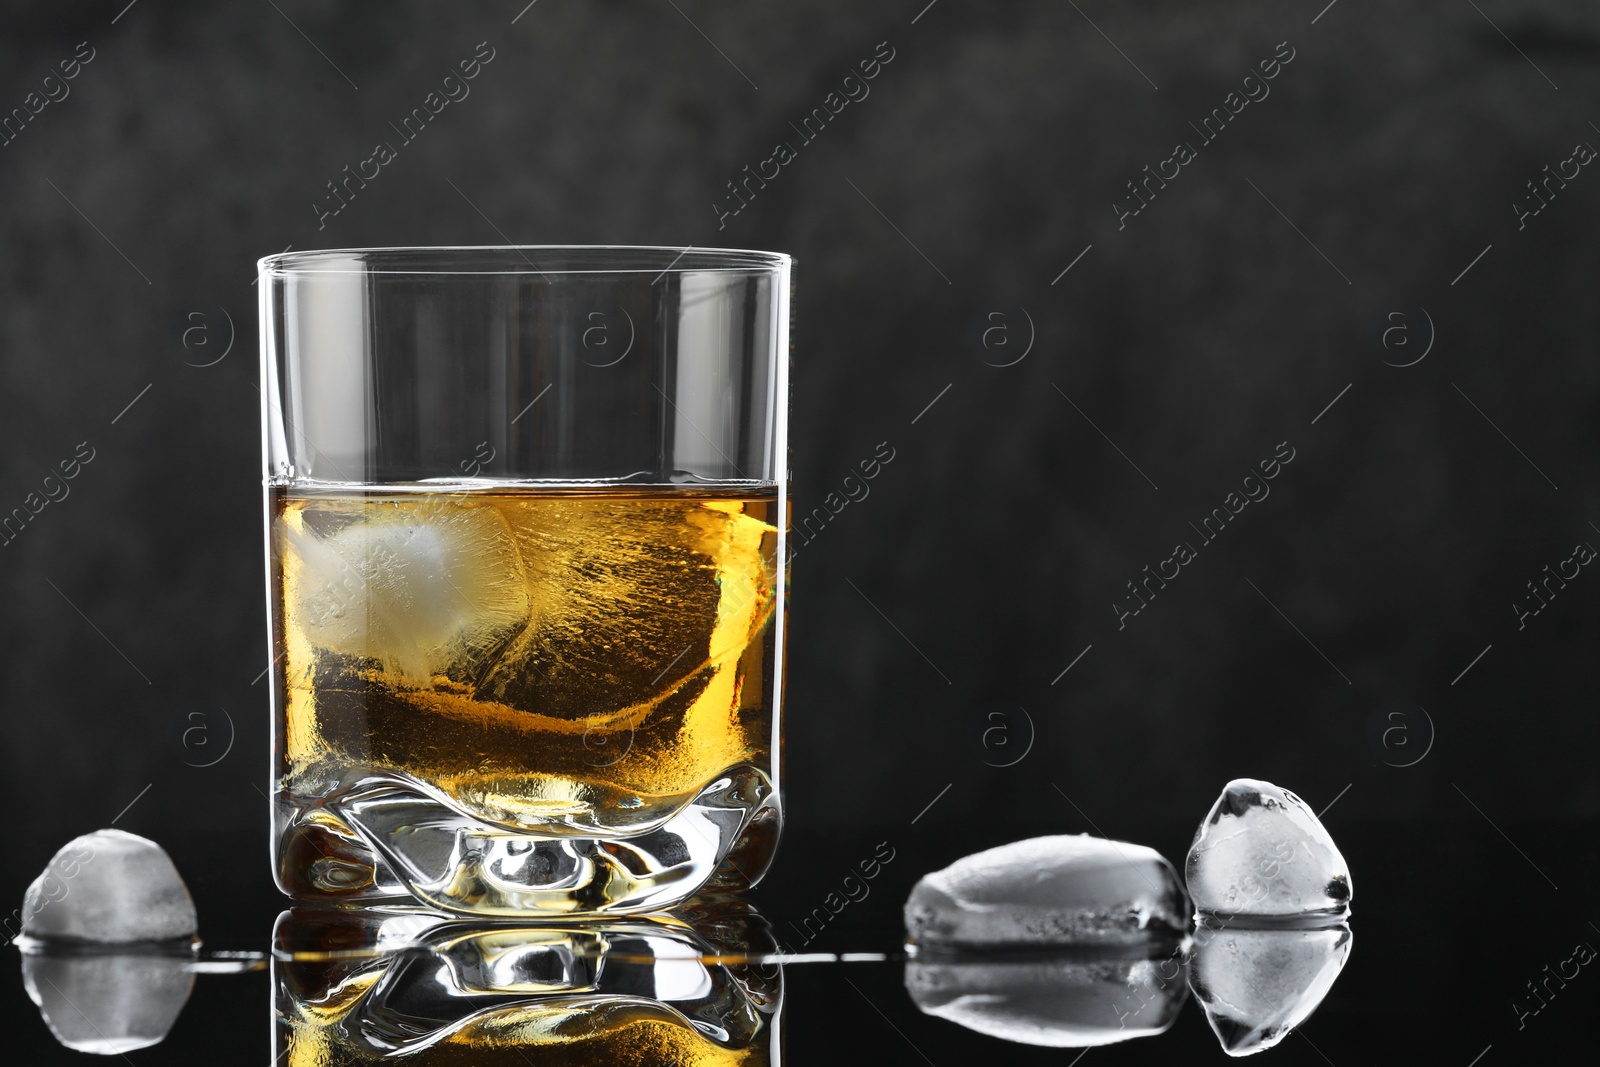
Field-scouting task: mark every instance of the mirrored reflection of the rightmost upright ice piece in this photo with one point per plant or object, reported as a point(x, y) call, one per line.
point(1258, 985)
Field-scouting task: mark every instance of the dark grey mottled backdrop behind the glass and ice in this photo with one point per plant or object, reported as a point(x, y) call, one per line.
point(1177, 353)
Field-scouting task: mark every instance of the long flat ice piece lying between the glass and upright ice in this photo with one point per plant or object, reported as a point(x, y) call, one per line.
point(1058, 890)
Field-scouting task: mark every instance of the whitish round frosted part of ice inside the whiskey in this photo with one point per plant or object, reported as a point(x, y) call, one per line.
point(418, 588)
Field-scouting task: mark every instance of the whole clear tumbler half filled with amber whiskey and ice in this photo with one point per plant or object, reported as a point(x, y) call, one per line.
point(527, 510)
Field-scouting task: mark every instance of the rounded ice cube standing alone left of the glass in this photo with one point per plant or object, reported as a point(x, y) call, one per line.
point(110, 887)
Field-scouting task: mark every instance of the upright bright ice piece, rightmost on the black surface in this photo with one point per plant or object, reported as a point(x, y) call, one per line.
point(1263, 853)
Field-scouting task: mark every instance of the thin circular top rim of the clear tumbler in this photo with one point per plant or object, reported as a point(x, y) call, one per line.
point(513, 260)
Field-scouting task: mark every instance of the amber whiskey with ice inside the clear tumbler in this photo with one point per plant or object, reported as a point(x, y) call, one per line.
point(577, 663)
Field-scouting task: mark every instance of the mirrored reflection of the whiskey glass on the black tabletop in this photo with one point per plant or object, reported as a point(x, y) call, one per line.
point(366, 988)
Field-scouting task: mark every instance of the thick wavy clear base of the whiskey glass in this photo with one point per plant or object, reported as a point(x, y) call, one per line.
point(390, 839)
